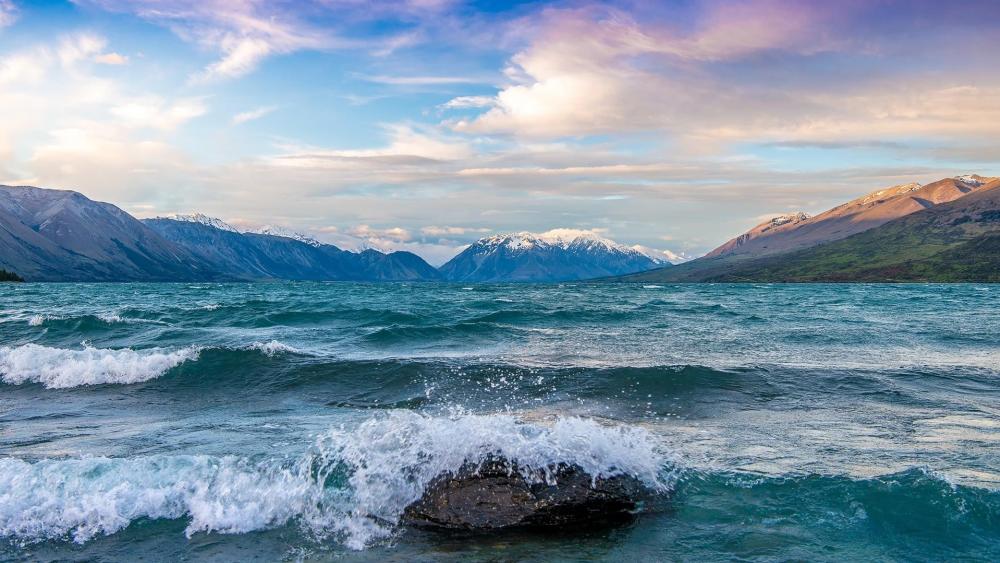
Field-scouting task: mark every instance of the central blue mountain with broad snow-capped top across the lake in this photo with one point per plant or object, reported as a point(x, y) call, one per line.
point(556, 255)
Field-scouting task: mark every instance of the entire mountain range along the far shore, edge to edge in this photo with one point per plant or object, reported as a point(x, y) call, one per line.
point(948, 230)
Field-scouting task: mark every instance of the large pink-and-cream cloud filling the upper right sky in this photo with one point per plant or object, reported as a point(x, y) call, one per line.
point(742, 71)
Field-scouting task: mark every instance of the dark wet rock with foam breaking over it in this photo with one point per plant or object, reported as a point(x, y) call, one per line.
point(496, 494)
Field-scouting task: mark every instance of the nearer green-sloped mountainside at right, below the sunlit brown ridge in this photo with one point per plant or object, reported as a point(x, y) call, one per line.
point(950, 241)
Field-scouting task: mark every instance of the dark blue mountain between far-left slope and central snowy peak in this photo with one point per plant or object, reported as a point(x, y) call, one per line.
point(258, 256)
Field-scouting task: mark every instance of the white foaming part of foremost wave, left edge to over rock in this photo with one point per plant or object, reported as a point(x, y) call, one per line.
point(351, 486)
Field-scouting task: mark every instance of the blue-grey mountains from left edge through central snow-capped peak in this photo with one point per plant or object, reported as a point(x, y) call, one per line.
point(61, 235)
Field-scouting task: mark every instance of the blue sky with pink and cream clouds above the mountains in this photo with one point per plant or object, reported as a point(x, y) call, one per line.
point(423, 125)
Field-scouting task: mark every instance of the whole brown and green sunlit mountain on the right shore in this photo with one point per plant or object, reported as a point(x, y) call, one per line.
point(948, 230)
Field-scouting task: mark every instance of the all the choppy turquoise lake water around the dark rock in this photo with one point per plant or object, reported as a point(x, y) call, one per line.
point(295, 421)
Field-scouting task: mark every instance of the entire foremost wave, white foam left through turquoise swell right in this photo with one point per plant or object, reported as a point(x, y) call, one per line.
point(353, 484)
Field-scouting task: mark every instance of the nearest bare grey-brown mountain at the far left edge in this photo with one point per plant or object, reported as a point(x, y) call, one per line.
point(57, 235)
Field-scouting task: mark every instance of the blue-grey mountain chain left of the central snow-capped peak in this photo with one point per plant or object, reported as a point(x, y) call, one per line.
point(57, 235)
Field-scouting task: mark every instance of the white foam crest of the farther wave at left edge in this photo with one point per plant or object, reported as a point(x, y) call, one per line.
point(59, 368)
